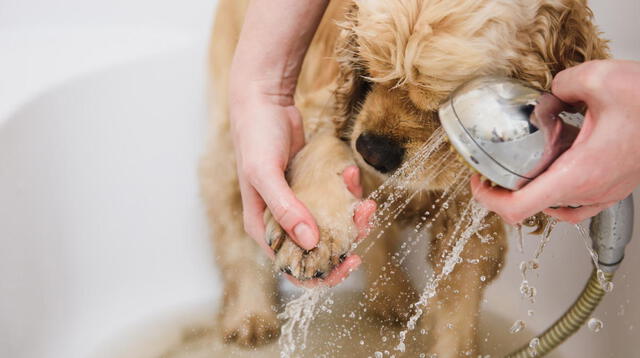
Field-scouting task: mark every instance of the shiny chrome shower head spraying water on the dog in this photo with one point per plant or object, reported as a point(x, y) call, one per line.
point(507, 130)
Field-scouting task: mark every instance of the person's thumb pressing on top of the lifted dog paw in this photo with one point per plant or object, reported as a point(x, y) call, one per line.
point(288, 211)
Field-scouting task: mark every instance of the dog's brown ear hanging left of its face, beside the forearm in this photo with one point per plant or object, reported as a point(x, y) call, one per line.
point(352, 84)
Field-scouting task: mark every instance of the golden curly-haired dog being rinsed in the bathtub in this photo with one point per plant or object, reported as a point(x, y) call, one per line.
point(384, 67)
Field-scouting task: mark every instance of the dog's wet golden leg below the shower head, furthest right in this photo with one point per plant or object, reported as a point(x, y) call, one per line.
point(452, 316)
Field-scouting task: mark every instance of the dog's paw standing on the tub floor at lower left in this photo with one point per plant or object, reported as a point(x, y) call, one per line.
point(250, 329)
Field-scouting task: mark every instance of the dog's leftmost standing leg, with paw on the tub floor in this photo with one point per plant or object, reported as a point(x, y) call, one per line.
point(246, 315)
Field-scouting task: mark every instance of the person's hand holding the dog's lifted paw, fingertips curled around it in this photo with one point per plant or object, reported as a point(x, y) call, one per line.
point(267, 133)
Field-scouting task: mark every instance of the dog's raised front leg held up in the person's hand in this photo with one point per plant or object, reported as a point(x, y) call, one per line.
point(315, 175)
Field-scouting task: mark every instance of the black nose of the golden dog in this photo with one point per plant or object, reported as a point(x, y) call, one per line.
point(382, 153)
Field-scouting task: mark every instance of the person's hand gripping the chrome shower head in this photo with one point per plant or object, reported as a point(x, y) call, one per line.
point(602, 167)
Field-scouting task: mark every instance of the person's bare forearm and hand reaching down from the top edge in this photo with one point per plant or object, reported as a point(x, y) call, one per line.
point(266, 127)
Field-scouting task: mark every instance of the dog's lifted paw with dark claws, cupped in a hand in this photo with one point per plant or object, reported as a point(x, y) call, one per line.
point(332, 249)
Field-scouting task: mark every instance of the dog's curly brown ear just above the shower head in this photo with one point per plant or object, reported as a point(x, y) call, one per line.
point(562, 35)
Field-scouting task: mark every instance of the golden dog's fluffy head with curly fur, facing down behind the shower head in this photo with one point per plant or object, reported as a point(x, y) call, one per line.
point(400, 59)
